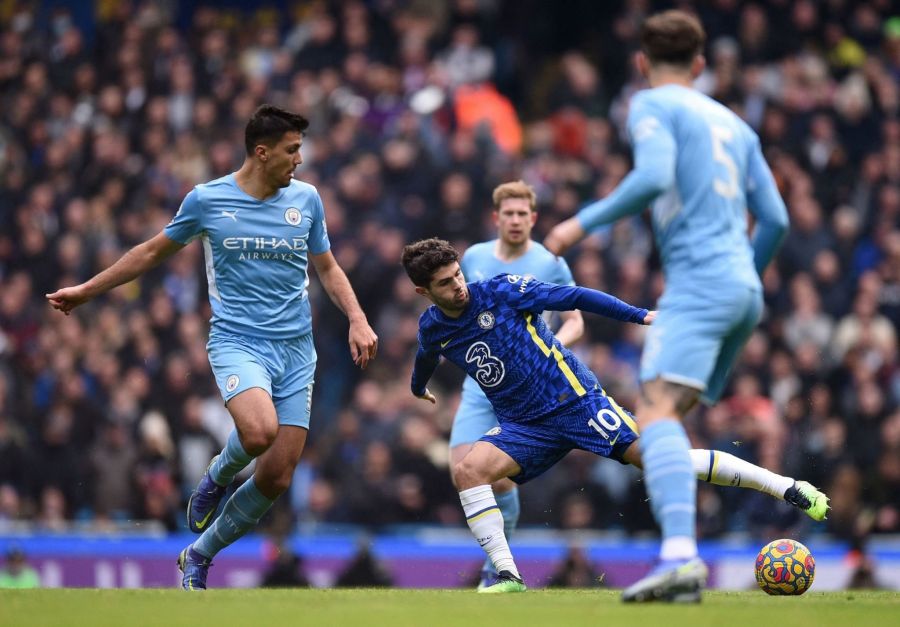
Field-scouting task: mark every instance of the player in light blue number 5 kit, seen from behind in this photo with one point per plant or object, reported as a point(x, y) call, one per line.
point(701, 167)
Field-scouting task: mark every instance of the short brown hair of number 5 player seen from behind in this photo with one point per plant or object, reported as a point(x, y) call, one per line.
point(673, 37)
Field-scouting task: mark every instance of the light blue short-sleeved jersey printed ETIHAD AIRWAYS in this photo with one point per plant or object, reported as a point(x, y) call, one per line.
point(256, 254)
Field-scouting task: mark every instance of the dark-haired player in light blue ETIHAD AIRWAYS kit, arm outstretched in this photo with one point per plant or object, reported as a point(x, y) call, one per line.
point(259, 228)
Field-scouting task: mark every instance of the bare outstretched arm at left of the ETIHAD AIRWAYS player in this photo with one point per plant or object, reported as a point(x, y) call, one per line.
point(130, 266)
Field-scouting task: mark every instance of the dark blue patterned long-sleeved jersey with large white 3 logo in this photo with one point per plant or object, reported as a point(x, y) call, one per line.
point(502, 342)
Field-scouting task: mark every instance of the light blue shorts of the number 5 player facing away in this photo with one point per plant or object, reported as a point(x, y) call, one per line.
point(698, 335)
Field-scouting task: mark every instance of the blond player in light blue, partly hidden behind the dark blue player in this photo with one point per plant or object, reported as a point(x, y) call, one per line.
point(513, 252)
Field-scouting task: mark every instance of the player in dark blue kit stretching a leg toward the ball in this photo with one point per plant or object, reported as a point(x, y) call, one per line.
point(547, 402)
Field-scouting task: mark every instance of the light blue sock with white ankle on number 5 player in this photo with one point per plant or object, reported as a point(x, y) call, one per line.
point(671, 485)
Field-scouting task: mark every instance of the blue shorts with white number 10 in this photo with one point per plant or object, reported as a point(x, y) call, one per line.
point(598, 425)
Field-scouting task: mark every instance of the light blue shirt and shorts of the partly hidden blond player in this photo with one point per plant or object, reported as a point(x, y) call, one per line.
point(475, 415)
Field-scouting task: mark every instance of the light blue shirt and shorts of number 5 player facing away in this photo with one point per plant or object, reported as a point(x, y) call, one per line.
point(701, 168)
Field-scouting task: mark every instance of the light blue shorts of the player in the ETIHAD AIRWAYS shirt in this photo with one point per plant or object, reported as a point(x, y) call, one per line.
point(283, 368)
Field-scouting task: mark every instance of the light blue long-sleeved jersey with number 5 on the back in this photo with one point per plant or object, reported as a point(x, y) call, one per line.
point(701, 167)
